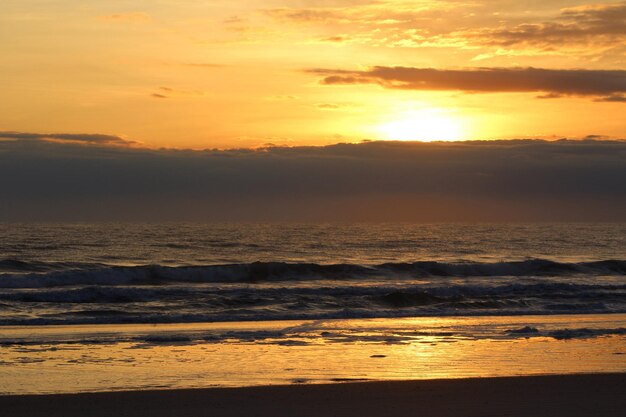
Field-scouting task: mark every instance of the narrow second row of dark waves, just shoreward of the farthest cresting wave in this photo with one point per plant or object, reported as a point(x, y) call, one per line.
point(384, 295)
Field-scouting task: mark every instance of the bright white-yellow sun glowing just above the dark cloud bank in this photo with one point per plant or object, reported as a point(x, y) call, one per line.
point(424, 125)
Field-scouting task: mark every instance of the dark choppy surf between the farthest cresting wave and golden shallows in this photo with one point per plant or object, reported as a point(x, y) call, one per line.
point(201, 303)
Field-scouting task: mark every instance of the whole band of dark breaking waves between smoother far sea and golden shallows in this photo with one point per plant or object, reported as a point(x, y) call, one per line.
point(96, 293)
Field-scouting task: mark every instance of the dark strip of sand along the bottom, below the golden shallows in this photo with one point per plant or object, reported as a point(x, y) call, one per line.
point(534, 396)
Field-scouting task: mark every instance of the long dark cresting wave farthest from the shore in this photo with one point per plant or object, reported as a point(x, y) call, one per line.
point(29, 274)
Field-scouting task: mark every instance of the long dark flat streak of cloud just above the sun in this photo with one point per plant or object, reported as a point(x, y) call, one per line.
point(610, 85)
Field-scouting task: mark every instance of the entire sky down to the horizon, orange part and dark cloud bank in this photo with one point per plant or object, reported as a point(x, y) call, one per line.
point(312, 110)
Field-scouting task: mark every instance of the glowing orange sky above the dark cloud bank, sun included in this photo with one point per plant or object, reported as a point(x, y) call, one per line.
point(234, 73)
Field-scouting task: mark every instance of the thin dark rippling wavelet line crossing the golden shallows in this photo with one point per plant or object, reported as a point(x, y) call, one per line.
point(311, 334)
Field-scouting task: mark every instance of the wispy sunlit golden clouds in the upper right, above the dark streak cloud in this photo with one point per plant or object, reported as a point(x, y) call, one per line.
point(583, 31)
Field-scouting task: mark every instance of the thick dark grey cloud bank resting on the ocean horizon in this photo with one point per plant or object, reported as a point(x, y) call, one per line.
point(523, 180)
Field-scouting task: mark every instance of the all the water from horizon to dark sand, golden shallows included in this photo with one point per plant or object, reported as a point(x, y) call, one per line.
point(97, 307)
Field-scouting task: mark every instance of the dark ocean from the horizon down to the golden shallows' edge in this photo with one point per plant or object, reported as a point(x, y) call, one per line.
point(180, 273)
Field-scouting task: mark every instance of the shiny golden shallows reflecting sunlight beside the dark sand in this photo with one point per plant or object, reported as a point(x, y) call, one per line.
point(299, 352)
